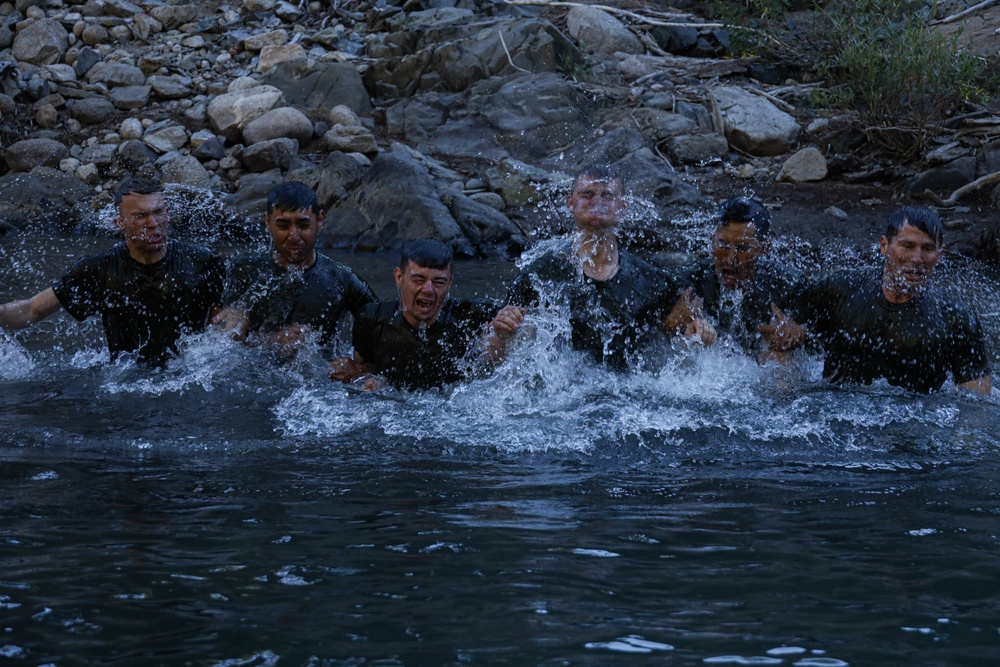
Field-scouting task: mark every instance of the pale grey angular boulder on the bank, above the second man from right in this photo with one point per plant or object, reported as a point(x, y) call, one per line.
point(753, 124)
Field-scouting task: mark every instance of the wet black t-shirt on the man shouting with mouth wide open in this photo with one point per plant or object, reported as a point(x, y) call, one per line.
point(414, 358)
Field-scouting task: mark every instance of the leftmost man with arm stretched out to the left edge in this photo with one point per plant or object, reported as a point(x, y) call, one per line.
point(148, 290)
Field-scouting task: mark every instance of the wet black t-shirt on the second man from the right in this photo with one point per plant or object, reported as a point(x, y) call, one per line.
point(741, 312)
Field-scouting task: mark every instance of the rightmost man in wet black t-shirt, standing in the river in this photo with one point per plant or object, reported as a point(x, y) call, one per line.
point(891, 323)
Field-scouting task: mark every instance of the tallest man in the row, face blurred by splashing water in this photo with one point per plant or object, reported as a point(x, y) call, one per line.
point(615, 299)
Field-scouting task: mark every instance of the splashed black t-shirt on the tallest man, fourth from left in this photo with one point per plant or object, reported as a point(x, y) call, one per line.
point(610, 319)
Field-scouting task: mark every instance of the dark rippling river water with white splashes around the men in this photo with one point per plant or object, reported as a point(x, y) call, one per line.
point(230, 511)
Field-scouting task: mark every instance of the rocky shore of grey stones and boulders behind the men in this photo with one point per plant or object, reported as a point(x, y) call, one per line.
point(459, 119)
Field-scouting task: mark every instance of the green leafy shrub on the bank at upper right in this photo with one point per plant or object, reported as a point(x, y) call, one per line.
point(902, 77)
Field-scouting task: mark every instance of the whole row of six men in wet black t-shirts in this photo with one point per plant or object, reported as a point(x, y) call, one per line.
point(884, 322)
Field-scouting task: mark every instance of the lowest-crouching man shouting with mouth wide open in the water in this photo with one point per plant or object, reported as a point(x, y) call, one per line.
point(424, 339)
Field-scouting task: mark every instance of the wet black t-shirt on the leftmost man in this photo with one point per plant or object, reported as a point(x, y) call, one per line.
point(145, 307)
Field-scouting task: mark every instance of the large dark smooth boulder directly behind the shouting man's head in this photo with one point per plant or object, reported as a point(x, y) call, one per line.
point(395, 202)
